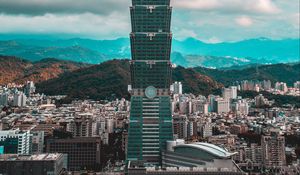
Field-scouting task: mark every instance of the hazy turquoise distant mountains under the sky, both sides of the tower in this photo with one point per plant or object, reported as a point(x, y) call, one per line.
point(187, 53)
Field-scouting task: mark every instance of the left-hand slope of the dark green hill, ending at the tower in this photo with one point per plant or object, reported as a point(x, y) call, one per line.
point(98, 82)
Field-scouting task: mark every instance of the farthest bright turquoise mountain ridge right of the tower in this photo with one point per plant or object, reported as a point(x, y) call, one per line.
point(258, 48)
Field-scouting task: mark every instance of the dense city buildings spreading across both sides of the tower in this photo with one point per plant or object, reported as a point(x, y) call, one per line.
point(91, 136)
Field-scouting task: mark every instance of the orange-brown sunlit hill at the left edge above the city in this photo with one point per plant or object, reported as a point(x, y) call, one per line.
point(13, 69)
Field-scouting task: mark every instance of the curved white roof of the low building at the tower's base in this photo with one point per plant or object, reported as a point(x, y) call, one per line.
point(208, 148)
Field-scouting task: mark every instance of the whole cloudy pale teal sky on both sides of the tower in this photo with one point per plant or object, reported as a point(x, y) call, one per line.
point(207, 20)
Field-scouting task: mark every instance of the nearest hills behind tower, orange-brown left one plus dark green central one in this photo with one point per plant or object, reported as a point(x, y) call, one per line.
point(109, 79)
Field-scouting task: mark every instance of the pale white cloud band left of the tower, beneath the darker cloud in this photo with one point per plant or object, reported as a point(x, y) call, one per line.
point(87, 24)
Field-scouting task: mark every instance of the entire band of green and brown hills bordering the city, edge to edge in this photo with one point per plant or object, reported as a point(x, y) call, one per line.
point(110, 79)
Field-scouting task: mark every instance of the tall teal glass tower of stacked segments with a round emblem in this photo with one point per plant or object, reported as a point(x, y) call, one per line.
point(150, 119)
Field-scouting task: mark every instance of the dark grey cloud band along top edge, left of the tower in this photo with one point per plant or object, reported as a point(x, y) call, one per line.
point(41, 7)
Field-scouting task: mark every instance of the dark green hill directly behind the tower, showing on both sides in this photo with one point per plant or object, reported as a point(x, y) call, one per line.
point(110, 79)
